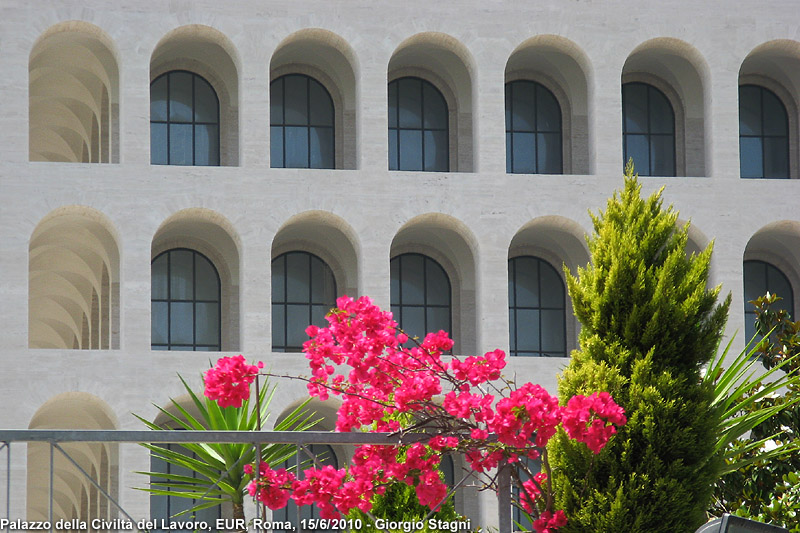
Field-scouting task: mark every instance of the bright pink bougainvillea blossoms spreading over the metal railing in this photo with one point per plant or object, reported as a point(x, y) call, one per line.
point(361, 357)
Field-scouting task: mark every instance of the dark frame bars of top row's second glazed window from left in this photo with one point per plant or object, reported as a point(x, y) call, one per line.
point(308, 125)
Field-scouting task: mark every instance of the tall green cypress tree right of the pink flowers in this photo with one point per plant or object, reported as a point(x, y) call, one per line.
point(648, 324)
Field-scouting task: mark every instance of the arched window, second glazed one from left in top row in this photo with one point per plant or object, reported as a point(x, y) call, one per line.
point(301, 123)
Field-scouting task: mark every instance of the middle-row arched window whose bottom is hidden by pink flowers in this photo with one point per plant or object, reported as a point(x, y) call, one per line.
point(420, 296)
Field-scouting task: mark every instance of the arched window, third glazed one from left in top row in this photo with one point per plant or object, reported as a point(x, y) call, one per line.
point(418, 126)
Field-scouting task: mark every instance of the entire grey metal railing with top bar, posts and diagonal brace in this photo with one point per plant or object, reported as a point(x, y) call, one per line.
point(56, 437)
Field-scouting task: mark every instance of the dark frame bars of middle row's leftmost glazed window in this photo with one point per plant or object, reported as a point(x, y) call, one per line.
point(168, 346)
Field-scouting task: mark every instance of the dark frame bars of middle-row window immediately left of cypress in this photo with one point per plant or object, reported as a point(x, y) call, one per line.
point(513, 307)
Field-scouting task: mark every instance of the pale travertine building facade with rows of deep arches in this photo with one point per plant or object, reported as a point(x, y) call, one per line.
point(77, 239)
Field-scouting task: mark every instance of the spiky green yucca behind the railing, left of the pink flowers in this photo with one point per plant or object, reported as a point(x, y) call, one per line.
point(219, 466)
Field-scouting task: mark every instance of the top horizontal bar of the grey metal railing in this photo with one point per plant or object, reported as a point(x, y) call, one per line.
point(175, 436)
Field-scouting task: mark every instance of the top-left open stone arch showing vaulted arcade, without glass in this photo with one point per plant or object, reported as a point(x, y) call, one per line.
point(73, 92)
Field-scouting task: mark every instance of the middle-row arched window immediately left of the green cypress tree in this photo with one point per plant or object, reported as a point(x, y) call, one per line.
point(536, 309)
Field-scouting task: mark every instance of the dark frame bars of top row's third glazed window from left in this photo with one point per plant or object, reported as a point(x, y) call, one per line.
point(422, 129)
